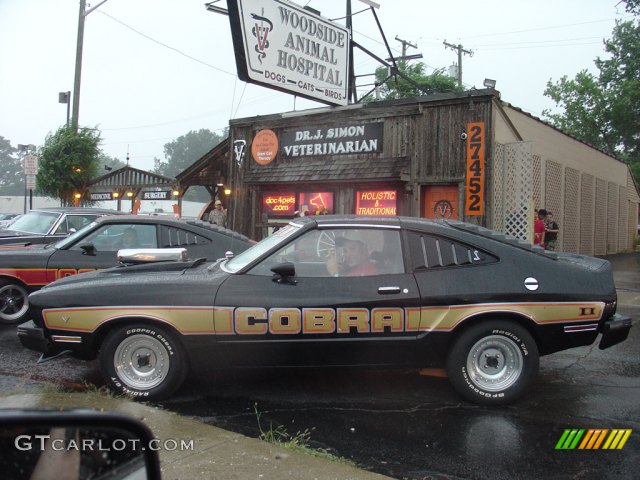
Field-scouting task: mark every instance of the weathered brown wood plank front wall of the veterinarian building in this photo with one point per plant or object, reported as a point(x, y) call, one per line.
point(423, 138)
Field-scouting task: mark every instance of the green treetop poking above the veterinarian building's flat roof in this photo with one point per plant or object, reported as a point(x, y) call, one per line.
point(398, 87)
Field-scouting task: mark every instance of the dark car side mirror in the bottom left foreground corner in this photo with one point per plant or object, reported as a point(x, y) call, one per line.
point(75, 444)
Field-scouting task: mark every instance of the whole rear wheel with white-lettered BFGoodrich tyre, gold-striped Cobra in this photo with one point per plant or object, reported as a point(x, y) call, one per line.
point(493, 362)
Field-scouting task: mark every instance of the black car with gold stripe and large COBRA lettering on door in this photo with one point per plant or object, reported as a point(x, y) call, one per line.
point(338, 291)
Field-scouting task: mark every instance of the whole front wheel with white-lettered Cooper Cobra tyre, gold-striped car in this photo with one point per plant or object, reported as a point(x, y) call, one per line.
point(143, 361)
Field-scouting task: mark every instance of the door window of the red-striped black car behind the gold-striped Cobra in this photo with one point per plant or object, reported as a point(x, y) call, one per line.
point(111, 238)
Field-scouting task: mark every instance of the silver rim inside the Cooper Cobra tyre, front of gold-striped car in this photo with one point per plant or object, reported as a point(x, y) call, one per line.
point(141, 362)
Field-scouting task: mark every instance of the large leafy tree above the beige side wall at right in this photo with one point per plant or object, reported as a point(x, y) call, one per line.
point(604, 109)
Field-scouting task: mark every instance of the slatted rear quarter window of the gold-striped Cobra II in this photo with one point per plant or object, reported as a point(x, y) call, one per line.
point(428, 252)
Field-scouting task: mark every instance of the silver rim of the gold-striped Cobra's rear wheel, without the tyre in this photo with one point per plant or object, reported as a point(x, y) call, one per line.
point(494, 363)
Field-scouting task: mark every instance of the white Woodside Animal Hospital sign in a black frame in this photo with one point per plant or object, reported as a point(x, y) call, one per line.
point(282, 46)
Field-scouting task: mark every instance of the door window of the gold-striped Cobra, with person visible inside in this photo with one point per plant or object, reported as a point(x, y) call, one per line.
point(340, 252)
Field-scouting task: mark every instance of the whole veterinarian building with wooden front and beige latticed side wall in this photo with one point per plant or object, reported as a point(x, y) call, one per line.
point(467, 155)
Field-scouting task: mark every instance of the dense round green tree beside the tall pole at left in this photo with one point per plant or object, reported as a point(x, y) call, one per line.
point(68, 161)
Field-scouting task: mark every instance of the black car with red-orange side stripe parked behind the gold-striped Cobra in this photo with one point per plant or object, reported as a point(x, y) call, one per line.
point(26, 269)
